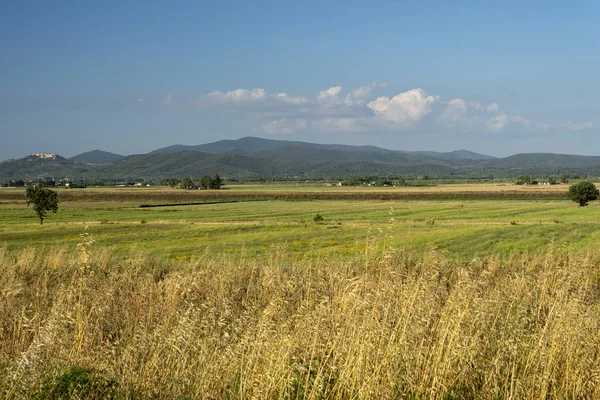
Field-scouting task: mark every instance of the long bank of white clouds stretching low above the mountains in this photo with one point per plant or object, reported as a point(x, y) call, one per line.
point(358, 110)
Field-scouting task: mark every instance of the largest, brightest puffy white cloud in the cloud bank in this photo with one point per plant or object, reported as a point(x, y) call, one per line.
point(409, 106)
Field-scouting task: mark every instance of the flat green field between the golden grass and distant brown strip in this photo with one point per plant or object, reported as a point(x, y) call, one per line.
point(462, 228)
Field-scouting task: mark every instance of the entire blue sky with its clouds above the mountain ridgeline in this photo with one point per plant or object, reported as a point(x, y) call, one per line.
point(499, 78)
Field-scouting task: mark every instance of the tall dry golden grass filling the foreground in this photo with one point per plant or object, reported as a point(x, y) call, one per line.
point(388, 325)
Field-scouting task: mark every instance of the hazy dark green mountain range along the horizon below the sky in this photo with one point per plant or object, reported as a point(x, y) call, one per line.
point(253, 158)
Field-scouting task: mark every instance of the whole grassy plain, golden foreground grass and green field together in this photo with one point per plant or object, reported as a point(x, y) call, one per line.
point(242, 294)
